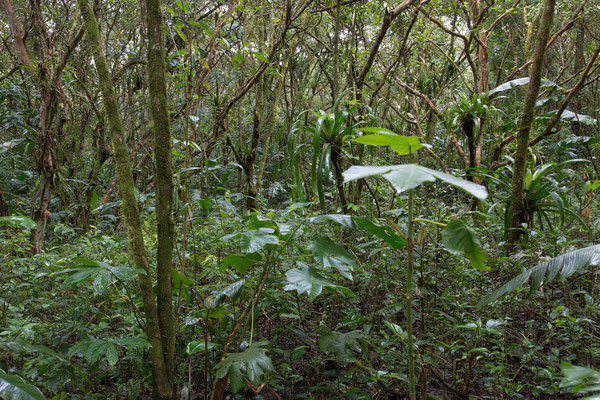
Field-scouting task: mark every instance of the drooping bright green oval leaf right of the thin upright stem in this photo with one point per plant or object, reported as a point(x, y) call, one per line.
point(459, 239)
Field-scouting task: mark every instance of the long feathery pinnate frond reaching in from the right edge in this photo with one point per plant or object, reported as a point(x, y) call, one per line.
point(558, 268)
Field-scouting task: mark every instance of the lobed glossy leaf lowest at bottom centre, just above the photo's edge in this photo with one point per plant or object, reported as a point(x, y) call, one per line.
point(253, 363)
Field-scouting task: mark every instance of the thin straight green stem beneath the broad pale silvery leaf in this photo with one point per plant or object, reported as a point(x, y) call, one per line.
point(409, 291)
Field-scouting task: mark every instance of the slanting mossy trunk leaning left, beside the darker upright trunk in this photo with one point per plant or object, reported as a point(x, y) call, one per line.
point(163, 387)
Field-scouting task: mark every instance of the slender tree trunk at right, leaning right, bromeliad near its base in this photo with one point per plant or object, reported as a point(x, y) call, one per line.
point(520, 165)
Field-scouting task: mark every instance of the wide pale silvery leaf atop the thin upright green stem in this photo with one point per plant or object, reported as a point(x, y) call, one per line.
point(408, 176)
